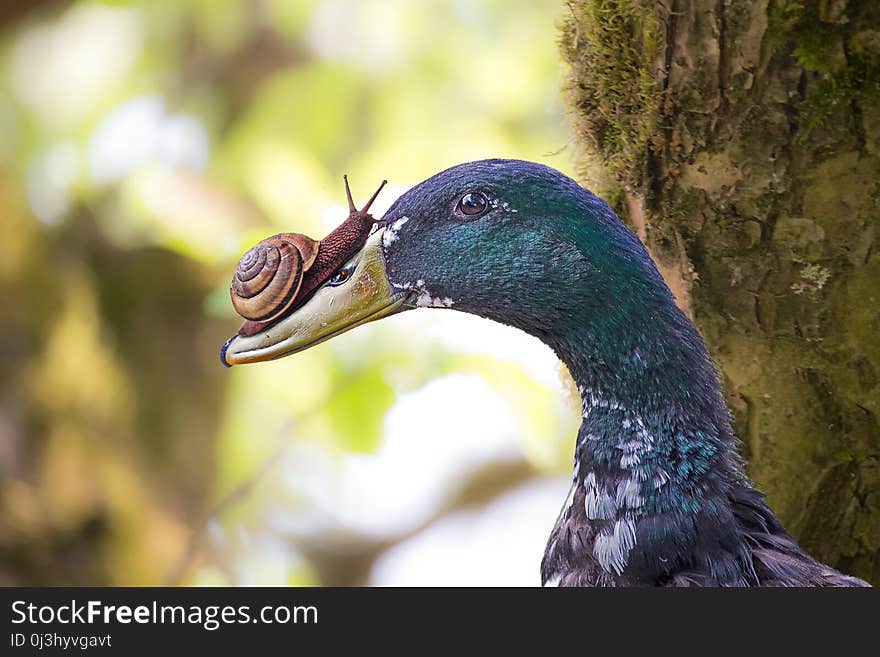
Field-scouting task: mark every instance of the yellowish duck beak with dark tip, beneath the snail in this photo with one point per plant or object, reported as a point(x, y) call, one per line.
point(332, 310)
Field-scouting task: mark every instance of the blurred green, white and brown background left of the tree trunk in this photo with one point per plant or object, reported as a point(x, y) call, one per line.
point(143, 147)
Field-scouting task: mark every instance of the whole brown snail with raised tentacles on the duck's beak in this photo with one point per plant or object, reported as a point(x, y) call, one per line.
point(281, 271)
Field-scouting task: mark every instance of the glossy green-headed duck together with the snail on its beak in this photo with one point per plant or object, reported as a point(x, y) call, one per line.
point(659, 494)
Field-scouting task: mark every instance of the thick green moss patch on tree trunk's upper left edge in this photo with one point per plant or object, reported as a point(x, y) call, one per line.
point(611, 48)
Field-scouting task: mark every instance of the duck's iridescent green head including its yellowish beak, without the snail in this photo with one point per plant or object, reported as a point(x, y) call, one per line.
point(512, 241)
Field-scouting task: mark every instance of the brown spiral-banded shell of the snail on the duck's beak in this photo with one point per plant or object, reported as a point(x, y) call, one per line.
point(269, 275)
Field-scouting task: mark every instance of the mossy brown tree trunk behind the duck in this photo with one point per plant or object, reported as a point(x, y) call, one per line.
point(742, 141)
